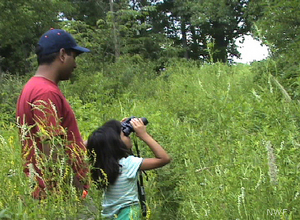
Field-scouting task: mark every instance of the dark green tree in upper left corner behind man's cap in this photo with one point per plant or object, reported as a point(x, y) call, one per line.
point(21, 24)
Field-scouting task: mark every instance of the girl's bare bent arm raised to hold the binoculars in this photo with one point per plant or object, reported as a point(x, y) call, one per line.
point(161, 156)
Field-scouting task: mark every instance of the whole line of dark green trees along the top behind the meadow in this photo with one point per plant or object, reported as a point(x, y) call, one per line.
point(156, 30)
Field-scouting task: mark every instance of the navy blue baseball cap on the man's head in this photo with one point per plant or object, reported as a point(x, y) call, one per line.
point(55, 39)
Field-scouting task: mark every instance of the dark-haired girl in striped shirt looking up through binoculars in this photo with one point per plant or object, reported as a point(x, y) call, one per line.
point(116, 169)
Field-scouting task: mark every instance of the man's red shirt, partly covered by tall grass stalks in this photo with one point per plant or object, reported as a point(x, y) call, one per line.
point(43, 108)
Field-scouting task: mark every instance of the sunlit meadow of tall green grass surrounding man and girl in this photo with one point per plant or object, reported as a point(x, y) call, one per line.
point(232, 133)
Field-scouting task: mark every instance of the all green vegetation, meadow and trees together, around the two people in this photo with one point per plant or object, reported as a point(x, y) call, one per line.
point(232, 130)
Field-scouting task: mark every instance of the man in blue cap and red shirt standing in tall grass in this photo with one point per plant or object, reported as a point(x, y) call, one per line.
point(47, 122)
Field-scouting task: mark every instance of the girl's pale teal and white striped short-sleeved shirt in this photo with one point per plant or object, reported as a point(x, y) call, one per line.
point(124, 191)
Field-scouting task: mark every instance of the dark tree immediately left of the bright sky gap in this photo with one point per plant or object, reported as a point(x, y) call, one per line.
point(221, 22)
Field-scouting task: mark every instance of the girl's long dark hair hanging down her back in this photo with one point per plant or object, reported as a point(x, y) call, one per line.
point(105, 149)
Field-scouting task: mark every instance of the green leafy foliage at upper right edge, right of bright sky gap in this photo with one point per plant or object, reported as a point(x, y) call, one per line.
point(278, 27)
